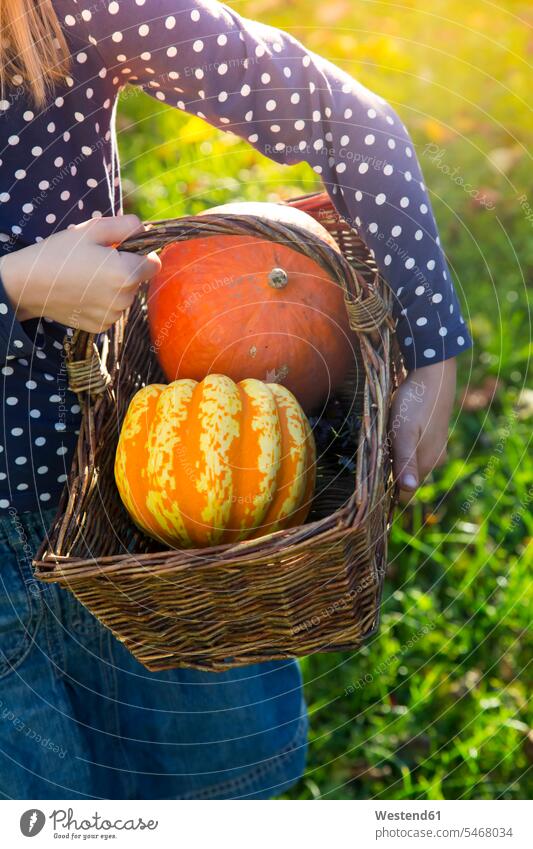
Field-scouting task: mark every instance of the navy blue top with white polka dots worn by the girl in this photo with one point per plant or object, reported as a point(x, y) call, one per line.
point(59, 166)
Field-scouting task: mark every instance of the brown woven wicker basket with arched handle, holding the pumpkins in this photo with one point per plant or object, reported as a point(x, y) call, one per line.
point(313, 588)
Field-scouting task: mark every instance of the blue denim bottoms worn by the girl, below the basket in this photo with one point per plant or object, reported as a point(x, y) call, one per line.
point(81, 718)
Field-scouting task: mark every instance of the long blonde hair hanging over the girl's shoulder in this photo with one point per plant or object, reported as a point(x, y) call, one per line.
point(33, 50)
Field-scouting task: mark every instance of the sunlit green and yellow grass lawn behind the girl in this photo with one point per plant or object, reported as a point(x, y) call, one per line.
point(436, 706)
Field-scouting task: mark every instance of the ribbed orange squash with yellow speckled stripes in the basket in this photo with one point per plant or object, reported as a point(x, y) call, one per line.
point(200, 464)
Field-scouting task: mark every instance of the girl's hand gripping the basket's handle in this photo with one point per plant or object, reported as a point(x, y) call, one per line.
point(76, 276)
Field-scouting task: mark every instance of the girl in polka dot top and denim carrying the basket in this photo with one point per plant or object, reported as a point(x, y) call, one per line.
point(81, 718)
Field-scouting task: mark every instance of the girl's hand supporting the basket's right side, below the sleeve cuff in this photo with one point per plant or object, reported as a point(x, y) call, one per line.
point(420, 416)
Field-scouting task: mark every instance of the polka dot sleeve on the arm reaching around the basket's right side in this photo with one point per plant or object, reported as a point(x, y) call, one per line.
point(295, 106)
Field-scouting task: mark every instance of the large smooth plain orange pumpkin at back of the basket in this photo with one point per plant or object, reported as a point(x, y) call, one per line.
point(246, 306)
